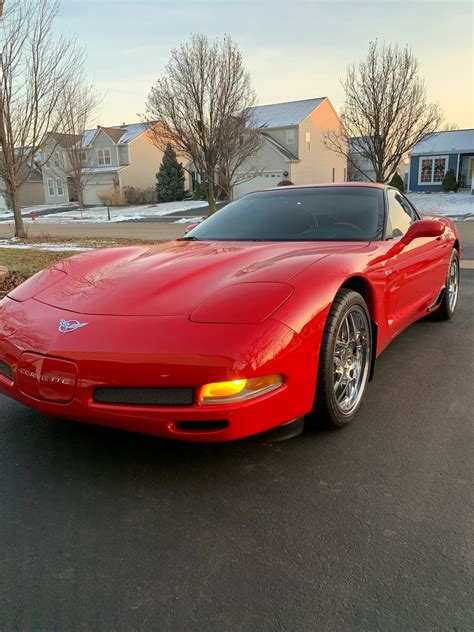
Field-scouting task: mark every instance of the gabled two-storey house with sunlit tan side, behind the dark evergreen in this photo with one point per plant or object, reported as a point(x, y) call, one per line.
point(113, 158)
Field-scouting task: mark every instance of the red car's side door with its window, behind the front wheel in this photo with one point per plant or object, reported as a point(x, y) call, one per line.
point(418, 269)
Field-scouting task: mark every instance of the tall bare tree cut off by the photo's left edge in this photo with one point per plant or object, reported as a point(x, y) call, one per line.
point(36, 68)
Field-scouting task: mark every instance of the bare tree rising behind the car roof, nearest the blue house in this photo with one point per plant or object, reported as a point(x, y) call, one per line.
point(385, 114)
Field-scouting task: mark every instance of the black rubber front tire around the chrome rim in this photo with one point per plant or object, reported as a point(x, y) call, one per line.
point(326, 410)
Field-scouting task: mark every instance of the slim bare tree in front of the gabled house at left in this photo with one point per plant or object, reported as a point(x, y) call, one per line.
point(78, 103)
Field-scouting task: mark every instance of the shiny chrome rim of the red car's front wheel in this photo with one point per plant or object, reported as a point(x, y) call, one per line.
point(351, 359)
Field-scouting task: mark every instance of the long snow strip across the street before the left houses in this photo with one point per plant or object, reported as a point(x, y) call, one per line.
point(99, 215)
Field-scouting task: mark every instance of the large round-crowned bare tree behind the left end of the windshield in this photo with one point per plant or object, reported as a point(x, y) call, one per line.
point(201, 105)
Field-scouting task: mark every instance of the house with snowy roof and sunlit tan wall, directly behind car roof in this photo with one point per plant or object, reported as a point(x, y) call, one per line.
point(293, 146)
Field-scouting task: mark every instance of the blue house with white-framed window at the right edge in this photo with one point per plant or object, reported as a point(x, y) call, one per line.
point(438, 152)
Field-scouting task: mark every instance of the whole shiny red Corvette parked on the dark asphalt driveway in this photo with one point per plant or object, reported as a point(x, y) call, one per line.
point(272, 309)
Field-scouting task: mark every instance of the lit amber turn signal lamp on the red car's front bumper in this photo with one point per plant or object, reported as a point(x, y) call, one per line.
point(238, 390)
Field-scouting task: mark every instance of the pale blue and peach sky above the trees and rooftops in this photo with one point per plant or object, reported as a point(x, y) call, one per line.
point(292, 49)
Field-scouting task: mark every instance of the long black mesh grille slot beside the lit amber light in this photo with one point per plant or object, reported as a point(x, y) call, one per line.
point(145, 396)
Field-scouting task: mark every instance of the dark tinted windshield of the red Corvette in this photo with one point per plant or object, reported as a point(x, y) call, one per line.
point(299, 214)
